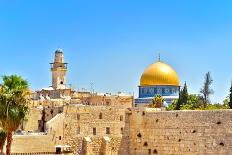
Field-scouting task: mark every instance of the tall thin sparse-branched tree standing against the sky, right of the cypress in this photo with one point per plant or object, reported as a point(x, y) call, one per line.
point(206, 90)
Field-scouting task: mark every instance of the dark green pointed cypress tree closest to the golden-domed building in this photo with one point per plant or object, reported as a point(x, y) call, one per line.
point(183, 97)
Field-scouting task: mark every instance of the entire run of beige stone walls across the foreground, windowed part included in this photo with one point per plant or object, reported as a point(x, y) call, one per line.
point(134, 131)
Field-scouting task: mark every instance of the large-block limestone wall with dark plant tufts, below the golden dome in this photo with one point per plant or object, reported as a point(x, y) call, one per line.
point(179, 132)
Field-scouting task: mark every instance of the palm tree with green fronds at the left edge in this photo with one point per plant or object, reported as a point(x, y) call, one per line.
point(13, 105)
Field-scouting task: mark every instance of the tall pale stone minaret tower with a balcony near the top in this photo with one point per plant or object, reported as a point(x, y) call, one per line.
point(59, 70)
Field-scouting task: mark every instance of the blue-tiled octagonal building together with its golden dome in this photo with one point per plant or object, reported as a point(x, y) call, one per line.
point(158, 78)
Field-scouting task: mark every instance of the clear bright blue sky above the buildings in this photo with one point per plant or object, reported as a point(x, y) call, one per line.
point(111, 42)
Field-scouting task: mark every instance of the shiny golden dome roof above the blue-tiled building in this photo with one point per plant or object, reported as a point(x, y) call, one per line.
point(159, 73)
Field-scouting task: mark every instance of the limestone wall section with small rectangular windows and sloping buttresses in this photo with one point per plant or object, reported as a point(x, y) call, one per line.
point(80, 122)
